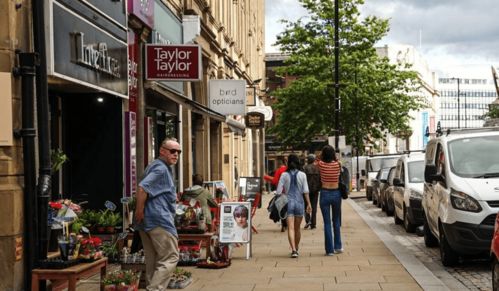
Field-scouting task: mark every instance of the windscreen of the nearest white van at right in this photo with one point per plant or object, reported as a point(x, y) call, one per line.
point(475, 157)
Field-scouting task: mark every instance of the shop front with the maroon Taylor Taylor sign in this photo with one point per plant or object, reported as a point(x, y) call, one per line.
point(174, 104)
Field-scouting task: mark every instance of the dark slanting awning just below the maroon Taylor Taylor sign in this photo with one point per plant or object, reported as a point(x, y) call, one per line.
point(184, 101)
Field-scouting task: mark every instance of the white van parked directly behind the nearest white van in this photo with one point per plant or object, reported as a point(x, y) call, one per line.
point(408, 191)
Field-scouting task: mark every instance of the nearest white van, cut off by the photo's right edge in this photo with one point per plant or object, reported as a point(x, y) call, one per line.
point(461, 191)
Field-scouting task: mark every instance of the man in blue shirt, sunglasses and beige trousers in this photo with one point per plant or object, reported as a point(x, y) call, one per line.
point(155, 214)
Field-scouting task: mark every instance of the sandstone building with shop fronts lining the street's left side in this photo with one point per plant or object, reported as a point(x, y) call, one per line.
point(111, 132)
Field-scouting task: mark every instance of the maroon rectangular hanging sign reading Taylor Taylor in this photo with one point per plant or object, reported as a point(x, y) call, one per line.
point(173, 62)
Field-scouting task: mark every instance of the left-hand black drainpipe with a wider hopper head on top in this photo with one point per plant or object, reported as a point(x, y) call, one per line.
point(26, 70)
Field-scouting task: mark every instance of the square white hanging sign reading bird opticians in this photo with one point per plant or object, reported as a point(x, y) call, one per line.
point(228, 97)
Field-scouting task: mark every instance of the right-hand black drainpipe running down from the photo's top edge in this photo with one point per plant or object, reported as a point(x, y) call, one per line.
point(43, 115)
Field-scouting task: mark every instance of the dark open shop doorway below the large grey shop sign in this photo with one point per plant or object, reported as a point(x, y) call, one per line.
point(91, 127)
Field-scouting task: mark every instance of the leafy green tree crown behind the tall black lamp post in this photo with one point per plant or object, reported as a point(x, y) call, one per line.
point(374, 93)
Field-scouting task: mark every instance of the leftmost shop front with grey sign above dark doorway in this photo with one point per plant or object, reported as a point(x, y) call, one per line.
point(88, 87)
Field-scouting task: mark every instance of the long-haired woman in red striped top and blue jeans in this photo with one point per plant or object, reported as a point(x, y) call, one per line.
point(330, 199)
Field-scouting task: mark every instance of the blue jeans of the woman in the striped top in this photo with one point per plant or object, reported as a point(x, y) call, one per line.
point(330, 202)
